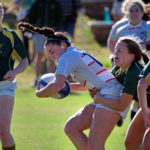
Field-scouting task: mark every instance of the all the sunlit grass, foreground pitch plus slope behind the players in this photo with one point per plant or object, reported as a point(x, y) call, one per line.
point(38, 123)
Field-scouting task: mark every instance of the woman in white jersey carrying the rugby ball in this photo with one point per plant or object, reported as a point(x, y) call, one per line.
point(92, 75)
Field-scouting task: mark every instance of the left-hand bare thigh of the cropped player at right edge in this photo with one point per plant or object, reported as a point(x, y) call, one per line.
point(135, 132)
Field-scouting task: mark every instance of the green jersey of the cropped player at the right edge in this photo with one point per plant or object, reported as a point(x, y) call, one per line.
point(146, 75)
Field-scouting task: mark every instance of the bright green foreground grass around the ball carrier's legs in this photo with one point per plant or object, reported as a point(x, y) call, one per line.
point(38, 123)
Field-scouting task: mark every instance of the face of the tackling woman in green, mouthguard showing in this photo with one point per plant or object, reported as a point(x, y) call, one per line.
point(122, 57)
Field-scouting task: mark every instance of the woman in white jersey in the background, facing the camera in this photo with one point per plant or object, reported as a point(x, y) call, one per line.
point(135, 25)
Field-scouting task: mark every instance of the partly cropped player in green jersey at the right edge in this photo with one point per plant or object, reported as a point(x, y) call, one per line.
point(139, 128)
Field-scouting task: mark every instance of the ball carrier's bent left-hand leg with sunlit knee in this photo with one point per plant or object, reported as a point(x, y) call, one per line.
point(77, 124)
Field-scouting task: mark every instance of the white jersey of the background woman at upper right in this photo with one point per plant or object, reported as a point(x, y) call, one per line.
point(140, 32)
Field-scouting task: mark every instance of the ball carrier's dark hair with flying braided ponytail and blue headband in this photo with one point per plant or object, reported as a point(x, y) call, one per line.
point(52, 36)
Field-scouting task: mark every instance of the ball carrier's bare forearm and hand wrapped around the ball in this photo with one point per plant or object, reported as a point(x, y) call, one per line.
point(52, 87)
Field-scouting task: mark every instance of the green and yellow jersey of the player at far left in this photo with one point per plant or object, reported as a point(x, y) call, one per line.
point(11, 48)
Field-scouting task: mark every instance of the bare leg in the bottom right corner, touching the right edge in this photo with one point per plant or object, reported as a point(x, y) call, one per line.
point(146, 140)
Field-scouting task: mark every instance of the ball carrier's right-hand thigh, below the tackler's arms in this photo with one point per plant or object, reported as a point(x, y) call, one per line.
point(102, 125)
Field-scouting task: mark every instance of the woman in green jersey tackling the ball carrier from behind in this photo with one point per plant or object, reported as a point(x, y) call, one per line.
point(126, 57)
